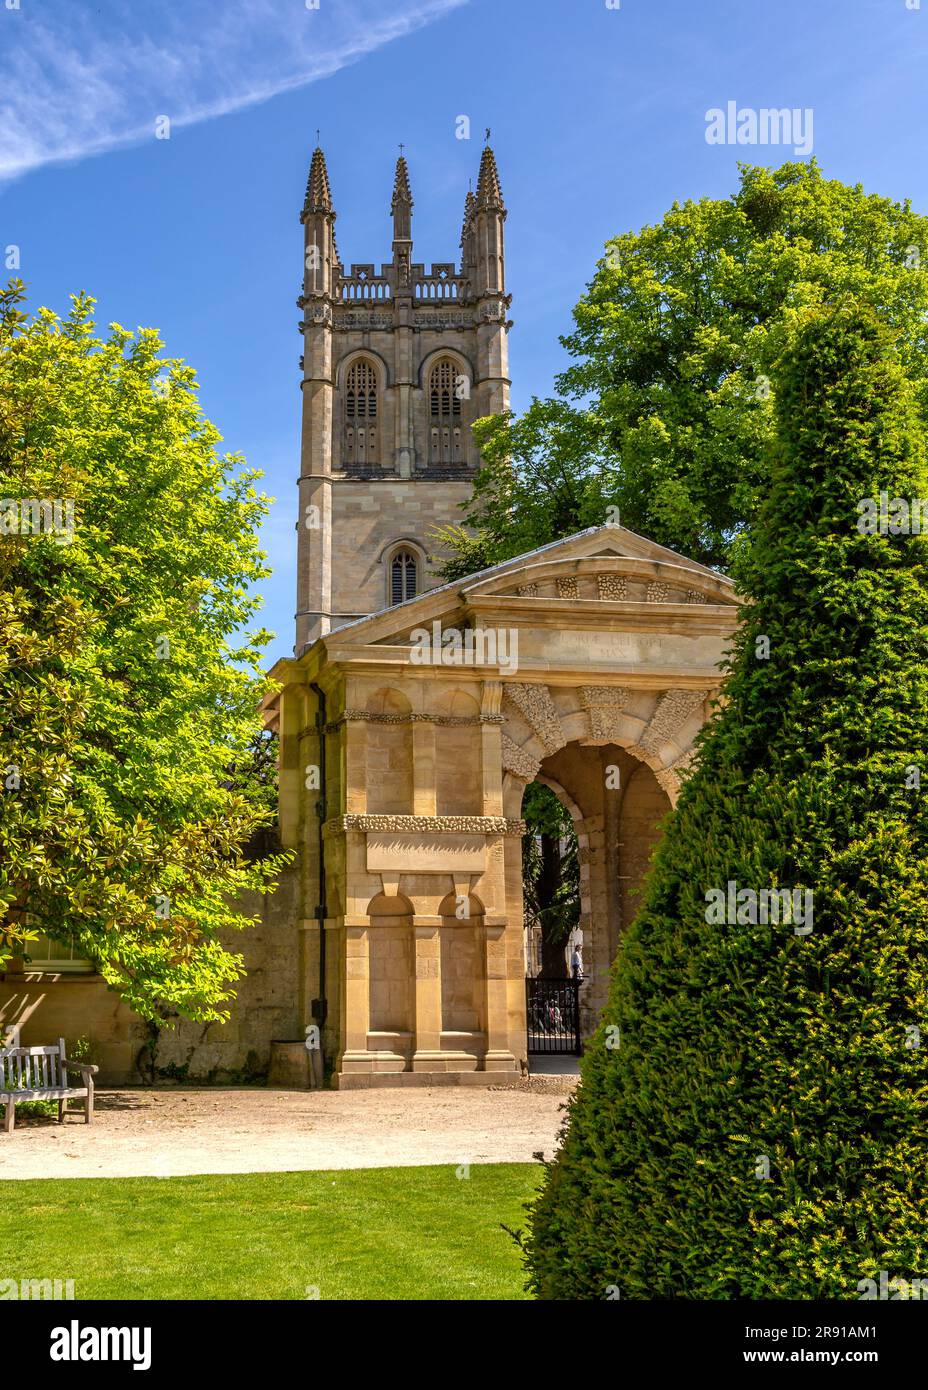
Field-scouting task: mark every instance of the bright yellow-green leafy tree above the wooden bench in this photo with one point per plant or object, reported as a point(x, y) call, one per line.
point(129, 685)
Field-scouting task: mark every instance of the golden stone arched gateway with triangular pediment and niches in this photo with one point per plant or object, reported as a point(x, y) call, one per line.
point(408, 740)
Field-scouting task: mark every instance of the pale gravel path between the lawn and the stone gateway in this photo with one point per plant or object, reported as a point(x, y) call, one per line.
point(163, 1134)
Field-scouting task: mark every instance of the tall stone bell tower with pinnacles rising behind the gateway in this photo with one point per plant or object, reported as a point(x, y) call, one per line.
point(397, 365)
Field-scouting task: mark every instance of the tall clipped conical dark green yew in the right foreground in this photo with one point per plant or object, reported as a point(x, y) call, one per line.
point(752, 1113)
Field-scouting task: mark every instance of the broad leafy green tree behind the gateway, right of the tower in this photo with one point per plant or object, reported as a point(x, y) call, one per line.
point(666, 414)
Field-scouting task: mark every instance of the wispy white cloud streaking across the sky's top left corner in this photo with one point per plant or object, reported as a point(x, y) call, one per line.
point(81, 77)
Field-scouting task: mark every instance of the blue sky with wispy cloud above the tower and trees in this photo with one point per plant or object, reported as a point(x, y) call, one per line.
point(598, 119)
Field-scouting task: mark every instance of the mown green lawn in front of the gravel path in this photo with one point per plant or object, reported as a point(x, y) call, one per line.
point(367, 1234)
